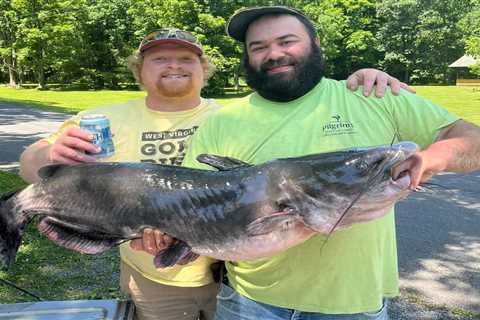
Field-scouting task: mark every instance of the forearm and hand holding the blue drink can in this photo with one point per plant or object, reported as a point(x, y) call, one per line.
point(69, 148)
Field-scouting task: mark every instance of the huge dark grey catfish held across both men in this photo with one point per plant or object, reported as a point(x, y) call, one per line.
point(239, 212)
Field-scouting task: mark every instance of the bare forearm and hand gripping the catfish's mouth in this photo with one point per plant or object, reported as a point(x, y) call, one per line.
point(456, 149)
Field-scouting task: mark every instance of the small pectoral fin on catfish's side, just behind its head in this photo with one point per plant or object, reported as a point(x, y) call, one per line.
point(265, 225)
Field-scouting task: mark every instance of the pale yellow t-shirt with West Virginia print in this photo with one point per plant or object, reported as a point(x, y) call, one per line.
point(145, 135)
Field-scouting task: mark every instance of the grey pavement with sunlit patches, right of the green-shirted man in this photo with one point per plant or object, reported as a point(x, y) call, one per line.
point(439, 242)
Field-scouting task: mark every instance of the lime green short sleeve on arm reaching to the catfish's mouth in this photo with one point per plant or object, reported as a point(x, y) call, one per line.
point(418, 119)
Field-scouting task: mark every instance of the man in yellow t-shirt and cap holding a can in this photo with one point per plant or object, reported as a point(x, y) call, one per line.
point(172, 68)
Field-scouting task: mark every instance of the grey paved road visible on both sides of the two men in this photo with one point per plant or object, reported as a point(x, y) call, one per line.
point(438, 231)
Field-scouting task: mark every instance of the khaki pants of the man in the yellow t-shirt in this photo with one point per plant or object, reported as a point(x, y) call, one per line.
point(161, 302)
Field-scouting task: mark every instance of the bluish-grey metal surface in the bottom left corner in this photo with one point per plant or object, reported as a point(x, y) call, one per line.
point(68, 310)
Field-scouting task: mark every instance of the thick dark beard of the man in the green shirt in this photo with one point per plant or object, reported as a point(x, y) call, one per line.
point(308, 71)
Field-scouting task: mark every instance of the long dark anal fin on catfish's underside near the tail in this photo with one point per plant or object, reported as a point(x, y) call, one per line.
point(74, 240)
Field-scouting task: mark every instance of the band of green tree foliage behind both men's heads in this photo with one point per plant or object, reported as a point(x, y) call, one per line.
point(85, 43)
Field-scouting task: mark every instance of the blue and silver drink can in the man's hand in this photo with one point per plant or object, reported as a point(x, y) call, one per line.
point(99, 125)
